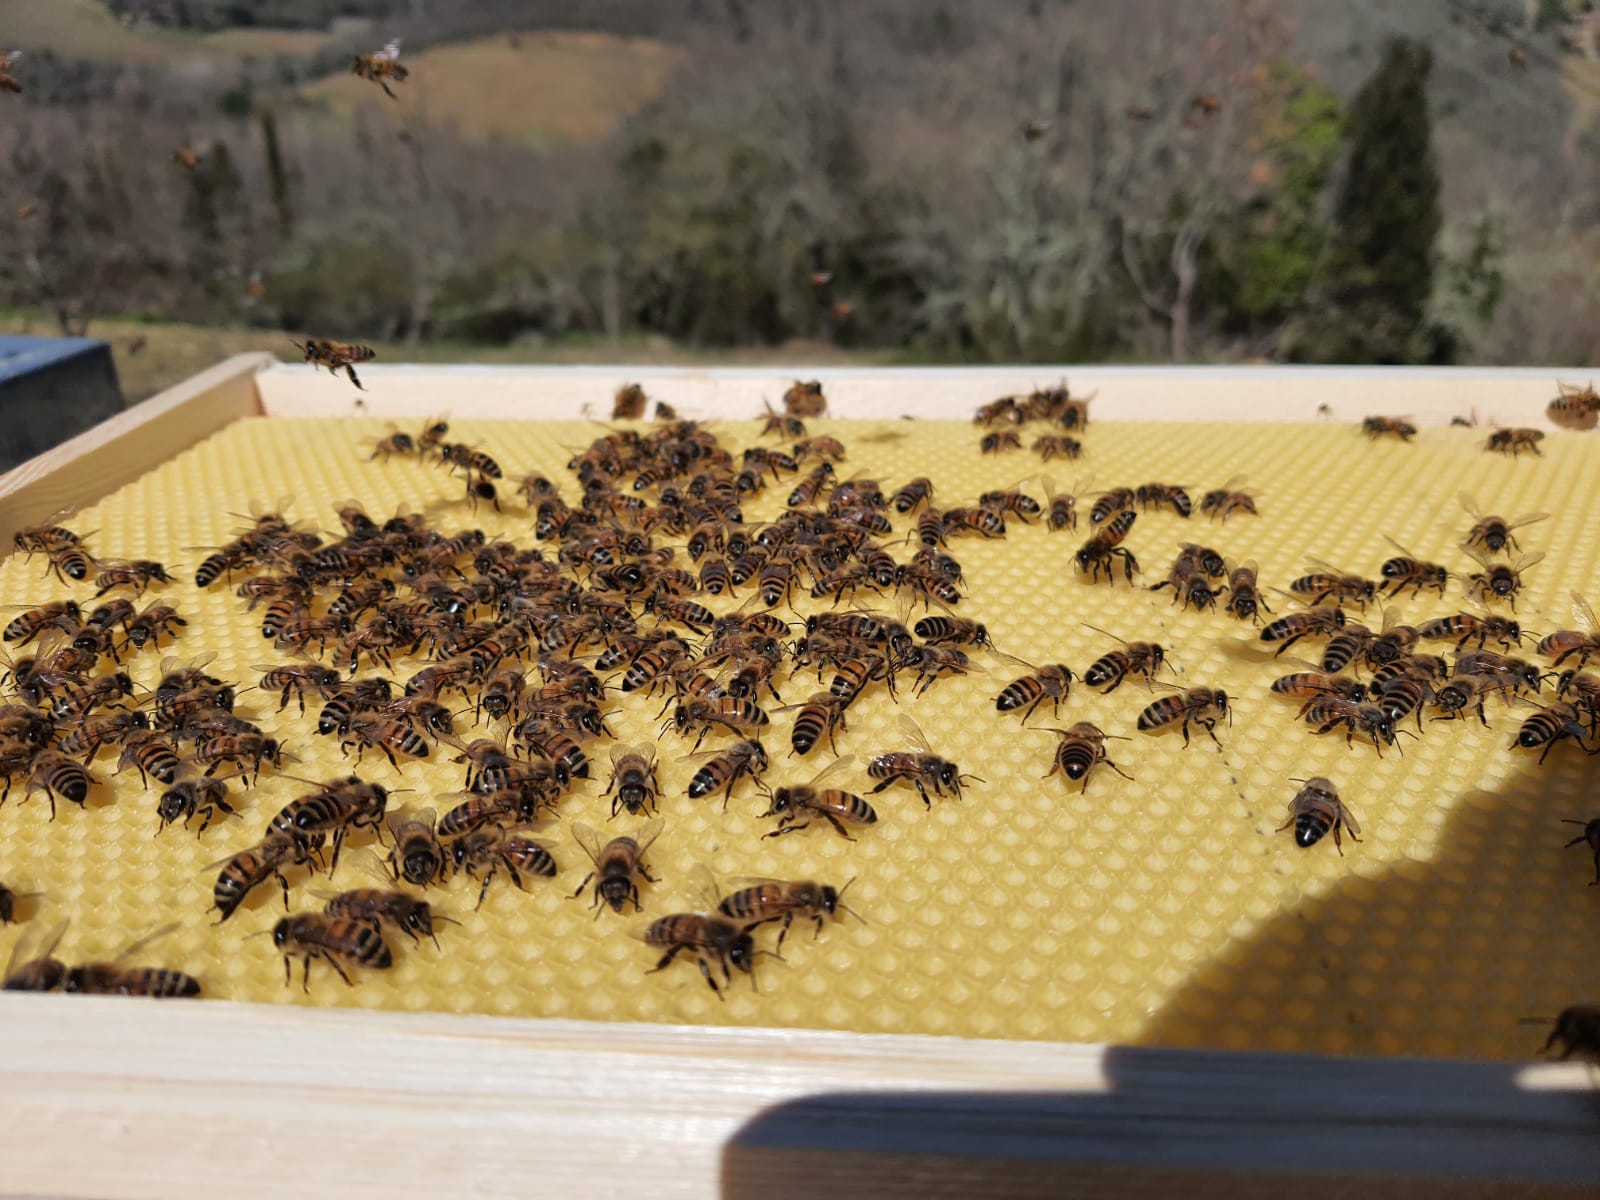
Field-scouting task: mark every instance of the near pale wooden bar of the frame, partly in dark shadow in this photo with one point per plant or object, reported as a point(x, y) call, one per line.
point(114, 1098)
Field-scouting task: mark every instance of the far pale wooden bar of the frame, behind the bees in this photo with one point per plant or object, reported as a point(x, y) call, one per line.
point(1428, 396)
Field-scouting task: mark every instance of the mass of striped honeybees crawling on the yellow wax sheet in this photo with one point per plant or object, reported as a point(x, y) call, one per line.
point(537, 646)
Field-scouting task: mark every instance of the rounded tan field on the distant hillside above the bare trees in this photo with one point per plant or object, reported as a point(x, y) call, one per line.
point(537, 87)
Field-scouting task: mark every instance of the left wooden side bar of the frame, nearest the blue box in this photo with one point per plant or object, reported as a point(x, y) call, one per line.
point(122, 449)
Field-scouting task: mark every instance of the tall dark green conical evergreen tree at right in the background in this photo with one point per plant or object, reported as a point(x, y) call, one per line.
point(1378, 273)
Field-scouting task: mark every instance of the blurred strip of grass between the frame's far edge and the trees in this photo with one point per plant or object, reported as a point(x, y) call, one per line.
point(158, 356)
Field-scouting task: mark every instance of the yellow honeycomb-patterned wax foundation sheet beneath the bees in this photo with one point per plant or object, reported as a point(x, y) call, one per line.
point(1161, 910)
